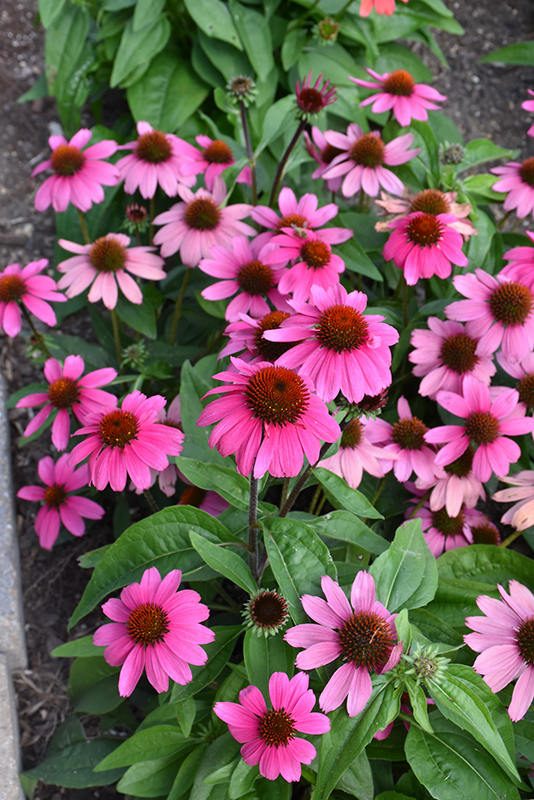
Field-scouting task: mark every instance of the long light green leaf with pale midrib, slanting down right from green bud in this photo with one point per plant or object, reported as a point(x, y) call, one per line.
point(465, 699)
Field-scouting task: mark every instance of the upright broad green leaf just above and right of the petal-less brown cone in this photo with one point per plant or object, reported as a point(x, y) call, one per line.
point(298, 559)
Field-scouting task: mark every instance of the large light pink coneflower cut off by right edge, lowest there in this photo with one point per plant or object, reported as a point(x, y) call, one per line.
point(504, 640)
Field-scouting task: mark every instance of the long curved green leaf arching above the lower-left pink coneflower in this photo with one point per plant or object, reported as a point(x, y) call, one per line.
point(161, 540)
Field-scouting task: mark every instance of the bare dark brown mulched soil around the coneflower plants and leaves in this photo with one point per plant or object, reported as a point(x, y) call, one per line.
point(484, 101)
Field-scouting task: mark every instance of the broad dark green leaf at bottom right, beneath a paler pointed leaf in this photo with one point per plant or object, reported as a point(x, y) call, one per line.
point(452, 766)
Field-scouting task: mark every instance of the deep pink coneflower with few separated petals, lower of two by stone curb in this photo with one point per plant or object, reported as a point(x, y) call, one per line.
point(60, 479)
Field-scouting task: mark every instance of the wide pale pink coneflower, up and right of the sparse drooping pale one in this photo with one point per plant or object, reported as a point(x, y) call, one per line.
point(196, 225)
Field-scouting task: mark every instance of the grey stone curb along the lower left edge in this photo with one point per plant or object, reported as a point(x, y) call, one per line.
point(12, 643)
